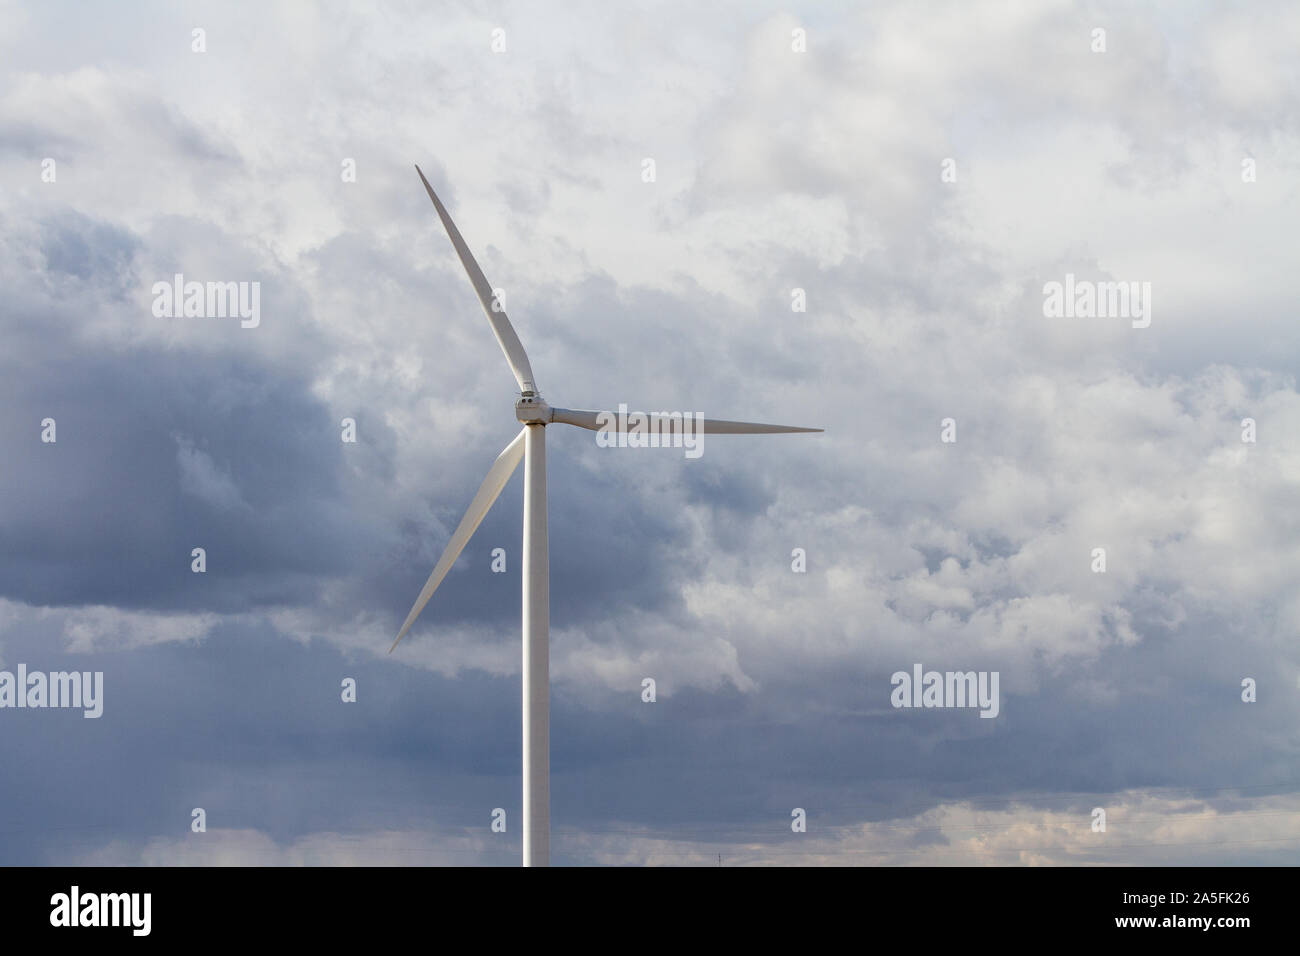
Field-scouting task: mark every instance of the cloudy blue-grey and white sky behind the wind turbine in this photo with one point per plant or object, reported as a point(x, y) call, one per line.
point(920, 171)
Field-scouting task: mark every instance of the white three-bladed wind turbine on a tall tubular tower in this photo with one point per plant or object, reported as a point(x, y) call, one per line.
point(530, 445)
